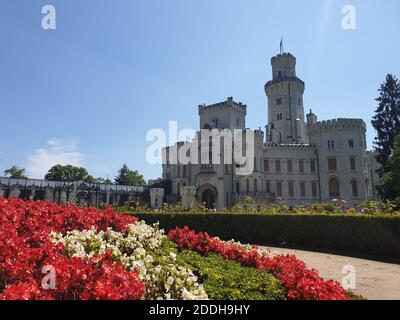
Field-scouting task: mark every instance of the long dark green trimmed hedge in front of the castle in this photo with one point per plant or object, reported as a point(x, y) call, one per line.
point(366, 235)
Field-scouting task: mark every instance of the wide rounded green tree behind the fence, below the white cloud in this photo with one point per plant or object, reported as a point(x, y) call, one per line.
point(68, 173)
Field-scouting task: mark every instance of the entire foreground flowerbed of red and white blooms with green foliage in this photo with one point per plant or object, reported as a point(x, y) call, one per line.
point(102, 254)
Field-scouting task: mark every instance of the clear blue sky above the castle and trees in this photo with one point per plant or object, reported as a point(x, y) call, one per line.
point(88, 92)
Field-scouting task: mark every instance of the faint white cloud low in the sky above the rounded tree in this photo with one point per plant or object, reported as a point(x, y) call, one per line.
point(56, 152)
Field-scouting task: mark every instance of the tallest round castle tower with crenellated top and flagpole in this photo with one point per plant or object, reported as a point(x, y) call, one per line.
point(286, 123)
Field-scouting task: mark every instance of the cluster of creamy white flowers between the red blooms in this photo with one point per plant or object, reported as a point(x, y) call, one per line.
point(133, 249)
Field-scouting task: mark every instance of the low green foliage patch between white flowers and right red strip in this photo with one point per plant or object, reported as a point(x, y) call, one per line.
point(228, 280)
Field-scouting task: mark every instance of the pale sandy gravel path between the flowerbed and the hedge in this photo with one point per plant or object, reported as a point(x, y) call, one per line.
point(374, 280)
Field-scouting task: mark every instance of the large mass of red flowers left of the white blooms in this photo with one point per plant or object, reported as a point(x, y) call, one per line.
point(25, 248)
